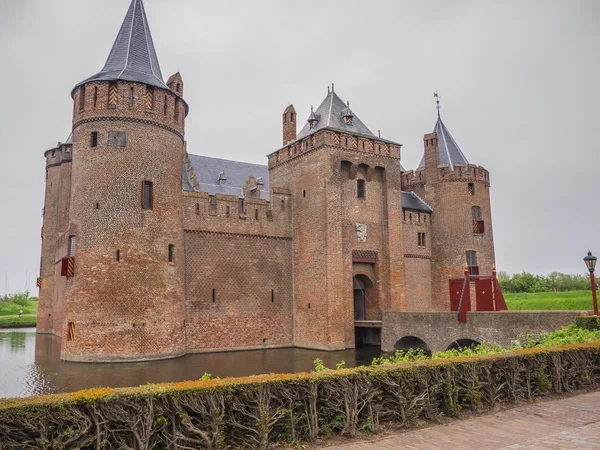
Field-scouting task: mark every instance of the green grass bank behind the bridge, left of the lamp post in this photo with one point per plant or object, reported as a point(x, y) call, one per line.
point(572, 300)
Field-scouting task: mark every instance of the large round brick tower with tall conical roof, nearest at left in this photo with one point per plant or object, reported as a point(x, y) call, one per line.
point(124, 298)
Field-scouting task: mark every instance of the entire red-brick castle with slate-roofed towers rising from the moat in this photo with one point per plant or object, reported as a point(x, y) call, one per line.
point(150, 251)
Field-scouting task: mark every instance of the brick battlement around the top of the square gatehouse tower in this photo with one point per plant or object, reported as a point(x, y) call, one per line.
point(342, 139)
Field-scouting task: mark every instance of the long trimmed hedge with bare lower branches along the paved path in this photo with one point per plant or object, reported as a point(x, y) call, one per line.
point(258, 411)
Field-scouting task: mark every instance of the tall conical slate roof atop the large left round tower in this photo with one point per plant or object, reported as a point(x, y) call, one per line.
point(133, 57)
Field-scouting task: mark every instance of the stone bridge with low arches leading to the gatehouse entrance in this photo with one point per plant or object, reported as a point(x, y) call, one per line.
point(439, 331)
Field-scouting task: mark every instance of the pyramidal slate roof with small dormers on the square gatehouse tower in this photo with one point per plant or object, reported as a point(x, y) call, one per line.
point(330, 114)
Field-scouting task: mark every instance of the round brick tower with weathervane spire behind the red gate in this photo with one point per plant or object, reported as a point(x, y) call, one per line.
point(459, 193)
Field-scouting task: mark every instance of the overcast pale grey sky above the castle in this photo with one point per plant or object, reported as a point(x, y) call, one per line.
point(517, 79)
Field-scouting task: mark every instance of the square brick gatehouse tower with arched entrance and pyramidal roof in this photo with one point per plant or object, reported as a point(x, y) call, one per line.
point(347, 226)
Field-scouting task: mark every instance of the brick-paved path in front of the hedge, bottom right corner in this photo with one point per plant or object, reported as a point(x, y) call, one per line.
point(568, 423)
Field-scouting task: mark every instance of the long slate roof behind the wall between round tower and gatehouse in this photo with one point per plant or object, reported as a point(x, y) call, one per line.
point(208, 169)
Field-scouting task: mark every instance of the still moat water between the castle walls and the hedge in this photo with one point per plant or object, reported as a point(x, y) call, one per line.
point(30, 364)
